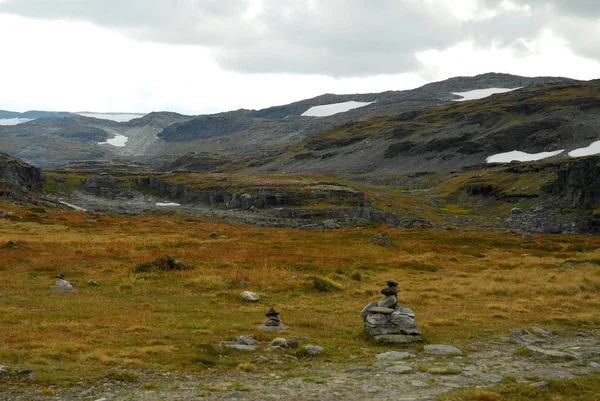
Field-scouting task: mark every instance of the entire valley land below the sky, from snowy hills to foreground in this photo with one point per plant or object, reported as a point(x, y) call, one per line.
point(484, 210)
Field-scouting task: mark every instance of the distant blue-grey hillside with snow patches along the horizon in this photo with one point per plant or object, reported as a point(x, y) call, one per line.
point(162, 136)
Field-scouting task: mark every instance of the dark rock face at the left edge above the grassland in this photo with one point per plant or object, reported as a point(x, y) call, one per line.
point(17, 177)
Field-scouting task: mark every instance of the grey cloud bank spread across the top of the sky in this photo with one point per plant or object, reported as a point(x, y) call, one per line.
point(331, 37)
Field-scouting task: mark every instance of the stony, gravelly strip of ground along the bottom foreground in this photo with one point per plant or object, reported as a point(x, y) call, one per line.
point(528, 357)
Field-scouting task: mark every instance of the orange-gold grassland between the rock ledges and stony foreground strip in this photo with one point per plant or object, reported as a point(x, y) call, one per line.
point(464, 286)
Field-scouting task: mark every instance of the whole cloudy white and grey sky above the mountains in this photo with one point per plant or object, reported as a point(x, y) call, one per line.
point(203, 56)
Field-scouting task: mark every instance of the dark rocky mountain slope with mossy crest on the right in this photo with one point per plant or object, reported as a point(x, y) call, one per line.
point(536, 119)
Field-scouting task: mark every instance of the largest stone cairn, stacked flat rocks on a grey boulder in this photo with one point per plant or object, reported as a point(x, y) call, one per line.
point(387, 321)
